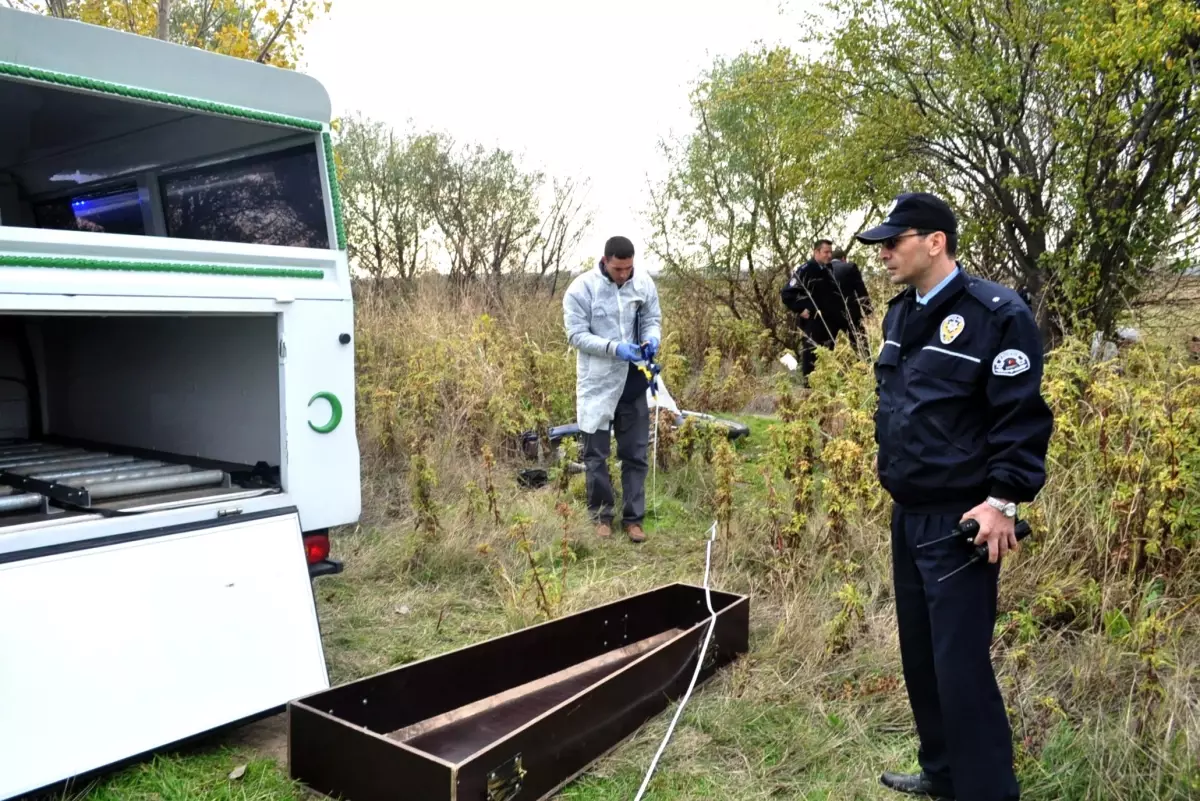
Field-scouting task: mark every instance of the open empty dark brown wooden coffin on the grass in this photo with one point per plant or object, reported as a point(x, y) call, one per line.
point(517, 718)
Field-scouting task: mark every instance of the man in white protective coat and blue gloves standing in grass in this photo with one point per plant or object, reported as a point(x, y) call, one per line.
point(611, 316)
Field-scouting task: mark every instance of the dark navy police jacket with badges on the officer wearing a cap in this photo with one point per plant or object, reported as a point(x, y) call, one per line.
point(961, 411)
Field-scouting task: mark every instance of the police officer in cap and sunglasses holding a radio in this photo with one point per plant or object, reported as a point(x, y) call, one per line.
point(963, 432)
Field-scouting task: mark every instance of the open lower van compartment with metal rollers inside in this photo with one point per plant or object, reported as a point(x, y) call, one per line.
point(115, 413)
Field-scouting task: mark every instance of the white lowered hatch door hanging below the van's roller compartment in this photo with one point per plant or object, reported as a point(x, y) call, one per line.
point(123, 646)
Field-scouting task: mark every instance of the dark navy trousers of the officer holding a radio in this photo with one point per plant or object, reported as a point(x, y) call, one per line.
point(946, 631)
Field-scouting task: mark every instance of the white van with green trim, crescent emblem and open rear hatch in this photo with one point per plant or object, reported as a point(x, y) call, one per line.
point(177, 394)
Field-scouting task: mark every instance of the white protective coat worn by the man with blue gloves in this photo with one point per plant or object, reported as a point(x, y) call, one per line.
point(598, 317)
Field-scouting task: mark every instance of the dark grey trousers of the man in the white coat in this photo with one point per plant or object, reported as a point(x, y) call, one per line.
point(632, 425)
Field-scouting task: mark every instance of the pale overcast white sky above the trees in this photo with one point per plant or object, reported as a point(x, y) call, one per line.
point(575, 89)
